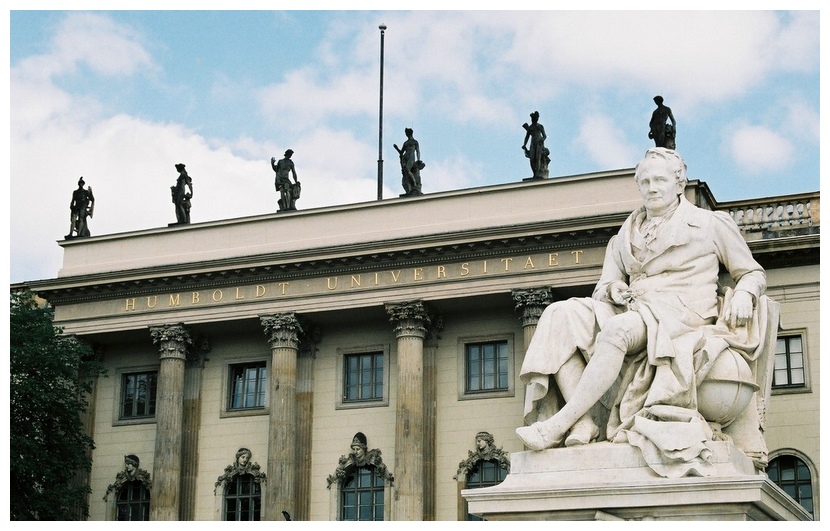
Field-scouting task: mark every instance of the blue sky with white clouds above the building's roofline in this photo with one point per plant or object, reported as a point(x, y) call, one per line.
point(119, 97)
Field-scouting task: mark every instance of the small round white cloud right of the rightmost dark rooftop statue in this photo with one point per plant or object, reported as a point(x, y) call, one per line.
point(757, 149)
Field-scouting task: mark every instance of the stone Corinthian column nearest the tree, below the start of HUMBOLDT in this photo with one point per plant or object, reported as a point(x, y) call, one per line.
point(167, 460)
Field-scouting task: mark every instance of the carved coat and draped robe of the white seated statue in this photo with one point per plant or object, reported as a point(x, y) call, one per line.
point(672, 266)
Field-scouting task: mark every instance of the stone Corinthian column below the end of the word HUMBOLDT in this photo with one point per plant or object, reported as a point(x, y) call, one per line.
point(283, 332)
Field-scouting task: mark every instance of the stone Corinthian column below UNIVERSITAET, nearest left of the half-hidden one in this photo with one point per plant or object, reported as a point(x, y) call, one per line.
point(411, 321)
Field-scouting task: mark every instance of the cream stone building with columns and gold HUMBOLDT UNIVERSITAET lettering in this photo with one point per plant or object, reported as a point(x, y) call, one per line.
point(361, 361)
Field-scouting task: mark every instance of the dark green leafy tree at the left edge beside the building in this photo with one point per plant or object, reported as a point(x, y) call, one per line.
point(49, 381)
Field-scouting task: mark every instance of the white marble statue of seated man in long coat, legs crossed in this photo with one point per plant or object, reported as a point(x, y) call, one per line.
point(636, 344)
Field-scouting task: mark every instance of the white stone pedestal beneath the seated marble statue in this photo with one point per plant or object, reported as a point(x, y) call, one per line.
point(607, 481)
